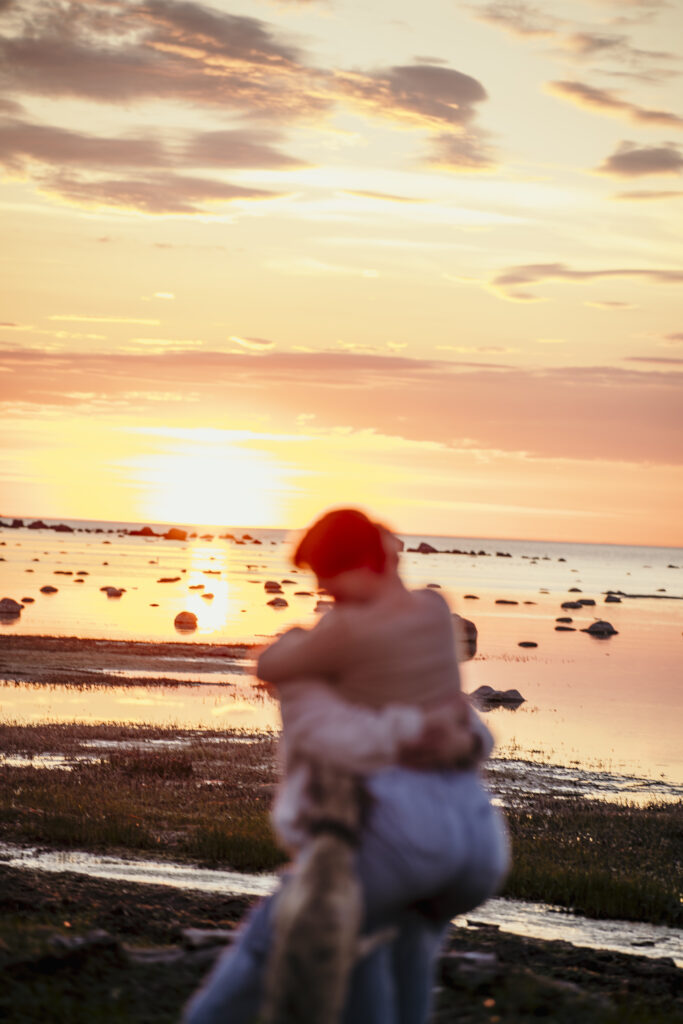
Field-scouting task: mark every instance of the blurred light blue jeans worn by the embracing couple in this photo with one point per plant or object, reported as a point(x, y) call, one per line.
point(428, 834)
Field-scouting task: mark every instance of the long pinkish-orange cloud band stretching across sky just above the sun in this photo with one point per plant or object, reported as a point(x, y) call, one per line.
point(585, 413)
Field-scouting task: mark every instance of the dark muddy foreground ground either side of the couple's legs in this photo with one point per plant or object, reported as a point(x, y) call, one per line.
point(75, 950)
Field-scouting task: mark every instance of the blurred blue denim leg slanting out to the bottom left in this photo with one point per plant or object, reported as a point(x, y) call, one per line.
point(232, 993)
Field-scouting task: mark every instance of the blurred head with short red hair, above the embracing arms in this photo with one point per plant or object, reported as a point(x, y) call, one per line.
point(350, 554)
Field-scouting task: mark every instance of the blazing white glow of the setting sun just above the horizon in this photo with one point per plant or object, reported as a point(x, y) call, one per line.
point(218, 484)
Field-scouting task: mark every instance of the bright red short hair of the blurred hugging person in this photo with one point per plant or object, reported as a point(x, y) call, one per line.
point(341, 540)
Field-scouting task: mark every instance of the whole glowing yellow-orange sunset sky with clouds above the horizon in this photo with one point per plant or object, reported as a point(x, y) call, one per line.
point(262, 258)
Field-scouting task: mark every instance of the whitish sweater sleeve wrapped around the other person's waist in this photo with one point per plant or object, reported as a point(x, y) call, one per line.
point(321, 726)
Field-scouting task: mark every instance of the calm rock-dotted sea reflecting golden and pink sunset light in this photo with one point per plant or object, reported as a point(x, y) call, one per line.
point(611, 705)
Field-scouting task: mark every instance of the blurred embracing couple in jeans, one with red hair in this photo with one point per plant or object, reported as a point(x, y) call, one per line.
point(373, 714)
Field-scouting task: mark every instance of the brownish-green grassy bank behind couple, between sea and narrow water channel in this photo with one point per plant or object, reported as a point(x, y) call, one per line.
point(207, 800)
